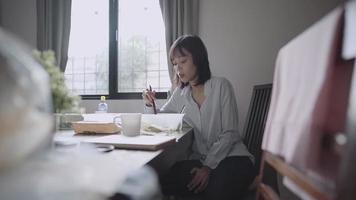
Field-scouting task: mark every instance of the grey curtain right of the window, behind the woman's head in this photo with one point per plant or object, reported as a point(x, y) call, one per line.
point(180, 17)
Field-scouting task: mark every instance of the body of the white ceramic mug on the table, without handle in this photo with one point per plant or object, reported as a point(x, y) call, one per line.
point(131, 124)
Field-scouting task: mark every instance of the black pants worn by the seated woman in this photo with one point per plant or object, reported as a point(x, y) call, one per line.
point(229, 180)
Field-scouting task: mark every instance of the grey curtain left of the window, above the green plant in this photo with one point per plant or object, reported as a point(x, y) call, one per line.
point(53, 28)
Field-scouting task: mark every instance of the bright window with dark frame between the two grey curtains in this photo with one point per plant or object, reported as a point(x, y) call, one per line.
point(117, 48)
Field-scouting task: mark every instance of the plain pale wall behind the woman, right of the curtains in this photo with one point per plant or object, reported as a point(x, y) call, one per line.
point(243, 37)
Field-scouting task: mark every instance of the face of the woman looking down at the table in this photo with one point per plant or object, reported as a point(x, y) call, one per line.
point(184, 66)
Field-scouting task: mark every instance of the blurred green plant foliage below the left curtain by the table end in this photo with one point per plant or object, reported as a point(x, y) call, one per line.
point(63, 100)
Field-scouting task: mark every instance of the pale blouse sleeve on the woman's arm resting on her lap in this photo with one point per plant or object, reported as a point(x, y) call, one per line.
point(229, 121)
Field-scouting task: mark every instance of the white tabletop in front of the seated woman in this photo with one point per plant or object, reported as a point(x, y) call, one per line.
point(111, 167)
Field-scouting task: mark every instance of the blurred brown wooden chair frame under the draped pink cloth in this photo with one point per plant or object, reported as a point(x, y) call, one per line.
point(346, 180)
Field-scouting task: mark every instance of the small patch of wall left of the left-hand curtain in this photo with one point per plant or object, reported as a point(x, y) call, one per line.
point(19, 17)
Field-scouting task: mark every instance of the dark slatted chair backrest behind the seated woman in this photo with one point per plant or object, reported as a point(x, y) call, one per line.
point(256, 120)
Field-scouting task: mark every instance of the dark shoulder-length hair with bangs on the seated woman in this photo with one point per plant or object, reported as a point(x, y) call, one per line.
point(195, 46)
